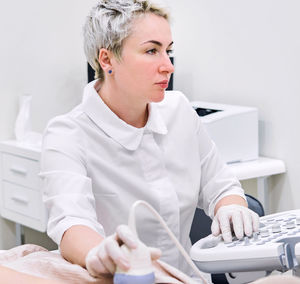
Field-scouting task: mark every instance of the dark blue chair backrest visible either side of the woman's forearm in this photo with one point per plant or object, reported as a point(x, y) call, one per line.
point(201, 222)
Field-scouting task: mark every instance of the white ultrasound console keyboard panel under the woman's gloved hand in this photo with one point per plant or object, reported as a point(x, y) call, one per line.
point(275, 247)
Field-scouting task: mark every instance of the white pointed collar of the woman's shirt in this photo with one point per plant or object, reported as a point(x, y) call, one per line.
point(127, 135)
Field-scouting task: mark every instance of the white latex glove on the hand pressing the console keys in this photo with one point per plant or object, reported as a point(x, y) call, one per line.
point(242, 220)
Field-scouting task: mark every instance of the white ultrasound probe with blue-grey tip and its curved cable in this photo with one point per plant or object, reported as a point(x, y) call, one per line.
point(141, 269)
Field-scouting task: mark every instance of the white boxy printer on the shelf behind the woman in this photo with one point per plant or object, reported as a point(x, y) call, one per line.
point(233, 128)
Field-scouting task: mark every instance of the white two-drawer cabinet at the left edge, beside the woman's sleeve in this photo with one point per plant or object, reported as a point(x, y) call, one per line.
point(20, 185)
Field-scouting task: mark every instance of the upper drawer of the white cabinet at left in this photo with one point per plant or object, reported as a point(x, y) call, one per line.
point(21, 171)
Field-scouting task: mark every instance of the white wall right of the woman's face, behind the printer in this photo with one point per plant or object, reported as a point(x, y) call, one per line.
point(247, 53)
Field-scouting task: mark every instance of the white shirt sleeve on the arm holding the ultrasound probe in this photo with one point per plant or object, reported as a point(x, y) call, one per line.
point(67, 190)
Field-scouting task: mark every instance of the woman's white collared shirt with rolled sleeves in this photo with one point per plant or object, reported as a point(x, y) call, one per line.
point(95, 166)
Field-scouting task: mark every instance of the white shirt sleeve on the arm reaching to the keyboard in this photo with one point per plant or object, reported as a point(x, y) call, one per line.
point(217, 180)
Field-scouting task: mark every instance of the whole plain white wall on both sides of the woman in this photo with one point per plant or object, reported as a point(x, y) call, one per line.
point(237, 52)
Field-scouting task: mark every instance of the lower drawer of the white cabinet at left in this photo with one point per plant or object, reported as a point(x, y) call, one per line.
point(21, 200)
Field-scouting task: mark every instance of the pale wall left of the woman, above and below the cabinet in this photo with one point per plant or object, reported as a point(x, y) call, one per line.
point(41, 54)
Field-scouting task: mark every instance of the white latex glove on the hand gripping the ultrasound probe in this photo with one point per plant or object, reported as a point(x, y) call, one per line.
point(103, 259)
